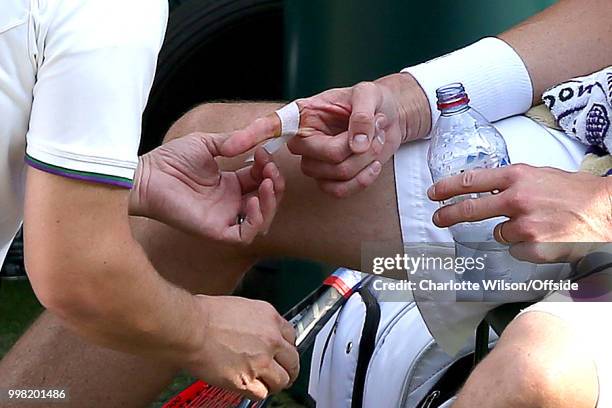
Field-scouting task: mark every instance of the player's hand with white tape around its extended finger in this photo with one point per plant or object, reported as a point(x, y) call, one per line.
point(346, 135)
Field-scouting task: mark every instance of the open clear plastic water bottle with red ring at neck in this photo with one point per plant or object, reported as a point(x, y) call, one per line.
point(462, 139)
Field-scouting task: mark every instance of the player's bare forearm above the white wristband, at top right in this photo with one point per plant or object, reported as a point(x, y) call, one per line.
point(571, 38)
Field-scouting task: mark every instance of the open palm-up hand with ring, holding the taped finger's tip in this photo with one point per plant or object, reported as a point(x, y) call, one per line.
point(180, 184)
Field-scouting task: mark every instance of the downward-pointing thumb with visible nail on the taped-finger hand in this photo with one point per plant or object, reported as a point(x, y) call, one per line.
point(365, 99)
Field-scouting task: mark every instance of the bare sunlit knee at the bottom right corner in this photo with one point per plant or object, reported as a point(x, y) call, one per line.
point(538, 363)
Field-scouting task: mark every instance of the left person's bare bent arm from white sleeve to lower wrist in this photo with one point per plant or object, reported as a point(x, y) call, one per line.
point(86, 267)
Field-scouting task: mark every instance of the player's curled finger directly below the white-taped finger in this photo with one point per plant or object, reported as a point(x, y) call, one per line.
point(332, 149)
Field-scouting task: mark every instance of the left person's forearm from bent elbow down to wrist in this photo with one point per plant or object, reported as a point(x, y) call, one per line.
point(122, 303)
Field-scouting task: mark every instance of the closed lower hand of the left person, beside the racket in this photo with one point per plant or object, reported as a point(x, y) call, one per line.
point(247, 348)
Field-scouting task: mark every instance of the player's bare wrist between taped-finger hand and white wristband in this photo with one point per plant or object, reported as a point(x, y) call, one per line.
point(414, 113)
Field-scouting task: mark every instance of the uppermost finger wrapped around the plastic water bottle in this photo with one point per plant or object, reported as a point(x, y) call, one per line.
point(471, 181)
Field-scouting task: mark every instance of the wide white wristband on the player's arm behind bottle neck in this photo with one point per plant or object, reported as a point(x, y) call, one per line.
point(493, 74)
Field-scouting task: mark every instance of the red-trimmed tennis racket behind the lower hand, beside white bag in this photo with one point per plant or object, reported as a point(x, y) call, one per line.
point(308, 317)
